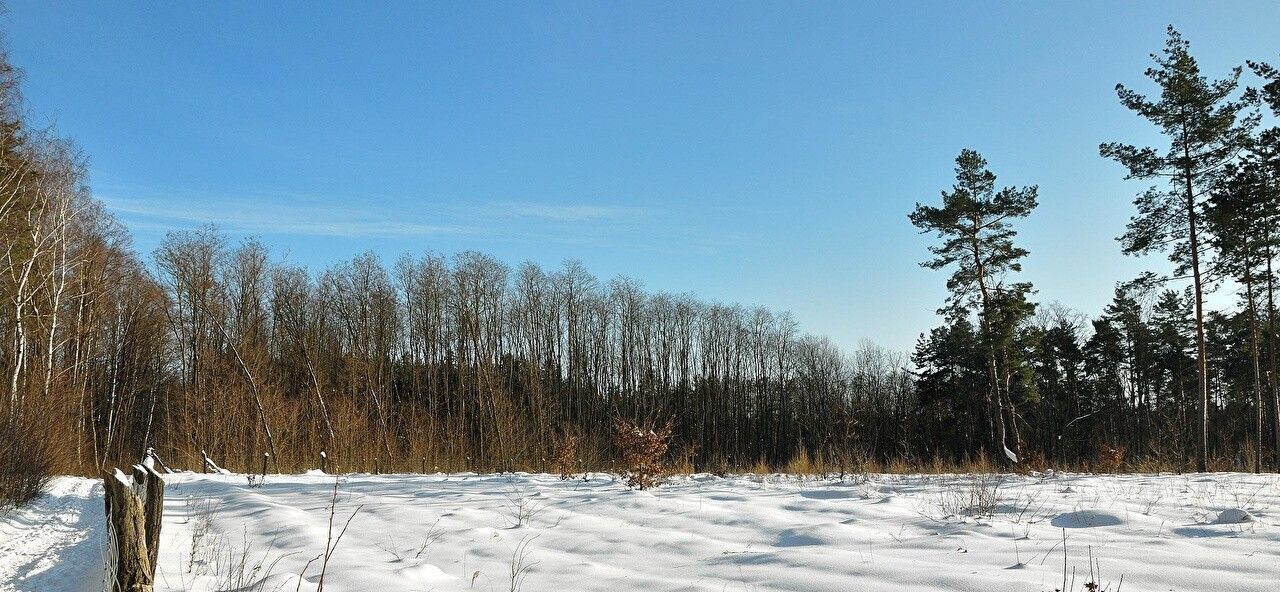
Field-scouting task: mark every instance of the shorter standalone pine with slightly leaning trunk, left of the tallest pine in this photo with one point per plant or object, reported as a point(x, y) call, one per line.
point(975, 224)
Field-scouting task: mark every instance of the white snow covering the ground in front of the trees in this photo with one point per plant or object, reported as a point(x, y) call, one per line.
point(1200, 532)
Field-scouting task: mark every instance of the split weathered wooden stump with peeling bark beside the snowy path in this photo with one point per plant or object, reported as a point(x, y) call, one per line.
point(132, 568)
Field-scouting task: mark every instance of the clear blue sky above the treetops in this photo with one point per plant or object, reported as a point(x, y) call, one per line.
point(757, 153)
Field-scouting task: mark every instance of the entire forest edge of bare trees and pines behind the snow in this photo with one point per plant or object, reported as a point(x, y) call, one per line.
point(464, 362)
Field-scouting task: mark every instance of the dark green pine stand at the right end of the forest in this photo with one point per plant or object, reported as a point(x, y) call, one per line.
point(1159, 375)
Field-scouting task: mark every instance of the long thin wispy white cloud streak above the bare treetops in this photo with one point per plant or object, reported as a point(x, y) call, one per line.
point(577, 224)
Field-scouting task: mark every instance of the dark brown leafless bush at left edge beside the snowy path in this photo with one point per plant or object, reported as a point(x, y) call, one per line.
point(26, 465)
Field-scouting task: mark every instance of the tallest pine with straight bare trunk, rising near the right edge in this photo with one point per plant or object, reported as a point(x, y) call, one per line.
point(1206, 129)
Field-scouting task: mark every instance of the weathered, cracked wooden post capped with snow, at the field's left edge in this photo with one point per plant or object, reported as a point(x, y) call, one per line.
point(134, 516)
